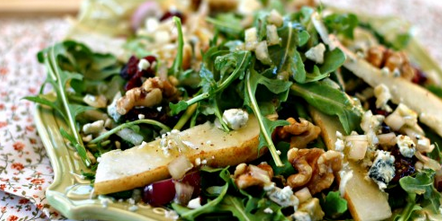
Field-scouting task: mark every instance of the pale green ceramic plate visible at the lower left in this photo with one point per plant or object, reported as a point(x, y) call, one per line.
point(73, 196)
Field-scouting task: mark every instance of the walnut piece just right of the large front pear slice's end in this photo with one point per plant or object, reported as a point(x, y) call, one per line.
point(300, 133)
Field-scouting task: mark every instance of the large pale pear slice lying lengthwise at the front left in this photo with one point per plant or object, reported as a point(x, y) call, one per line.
point(141, 165)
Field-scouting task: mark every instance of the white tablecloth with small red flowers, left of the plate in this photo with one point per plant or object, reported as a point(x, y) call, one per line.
point(25, 170)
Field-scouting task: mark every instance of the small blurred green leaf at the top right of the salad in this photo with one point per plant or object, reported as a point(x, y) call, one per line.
point(342, 24)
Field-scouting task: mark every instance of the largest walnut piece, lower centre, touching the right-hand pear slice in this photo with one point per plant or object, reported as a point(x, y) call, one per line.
point(315, 168)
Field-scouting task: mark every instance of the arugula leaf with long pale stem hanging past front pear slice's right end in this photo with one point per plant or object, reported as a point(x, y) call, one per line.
point(266, 126)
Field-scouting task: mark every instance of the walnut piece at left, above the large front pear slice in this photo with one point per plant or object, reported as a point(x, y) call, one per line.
point(151, 93)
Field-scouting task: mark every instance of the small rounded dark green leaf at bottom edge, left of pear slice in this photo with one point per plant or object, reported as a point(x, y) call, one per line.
point(334, 204)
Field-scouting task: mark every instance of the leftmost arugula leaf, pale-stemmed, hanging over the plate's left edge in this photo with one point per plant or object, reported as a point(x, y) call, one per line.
point(72, 64)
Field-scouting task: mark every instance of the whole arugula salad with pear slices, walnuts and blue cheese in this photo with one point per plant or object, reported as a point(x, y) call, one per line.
point(251, 110)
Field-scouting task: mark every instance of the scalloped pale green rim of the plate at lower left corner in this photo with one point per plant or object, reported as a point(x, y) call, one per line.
point(77, 209)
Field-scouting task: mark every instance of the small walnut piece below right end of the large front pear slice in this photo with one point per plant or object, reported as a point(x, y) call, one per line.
point(251, 175)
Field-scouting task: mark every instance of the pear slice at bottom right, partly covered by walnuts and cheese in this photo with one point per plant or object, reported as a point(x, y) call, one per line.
point(366, 201)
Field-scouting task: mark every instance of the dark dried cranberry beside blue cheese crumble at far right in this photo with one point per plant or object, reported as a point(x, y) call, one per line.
point(404, 166)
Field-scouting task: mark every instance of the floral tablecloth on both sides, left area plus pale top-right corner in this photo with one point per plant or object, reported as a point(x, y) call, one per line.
point(25, 170)
